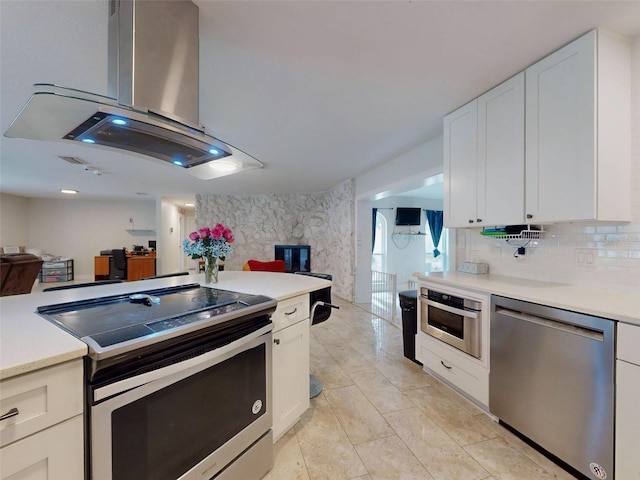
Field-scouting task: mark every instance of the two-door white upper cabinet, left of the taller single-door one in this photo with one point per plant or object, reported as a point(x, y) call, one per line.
point(484, 159)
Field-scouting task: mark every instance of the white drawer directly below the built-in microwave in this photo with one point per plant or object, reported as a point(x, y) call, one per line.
point(465, 375)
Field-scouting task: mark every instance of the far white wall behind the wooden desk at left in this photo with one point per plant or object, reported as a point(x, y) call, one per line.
point(79, 229)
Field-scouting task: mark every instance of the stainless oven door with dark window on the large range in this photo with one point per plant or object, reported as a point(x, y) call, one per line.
point(185, 421)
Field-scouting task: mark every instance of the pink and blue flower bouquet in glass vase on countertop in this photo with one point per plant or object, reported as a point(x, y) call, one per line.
point(210, 244)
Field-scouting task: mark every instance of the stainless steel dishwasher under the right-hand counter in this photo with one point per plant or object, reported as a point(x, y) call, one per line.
point(552, 380)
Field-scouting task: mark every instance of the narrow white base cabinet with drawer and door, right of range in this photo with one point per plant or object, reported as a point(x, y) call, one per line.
point(290, 363)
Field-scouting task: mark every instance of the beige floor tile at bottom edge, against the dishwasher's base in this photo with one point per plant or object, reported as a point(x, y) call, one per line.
point(505, 462)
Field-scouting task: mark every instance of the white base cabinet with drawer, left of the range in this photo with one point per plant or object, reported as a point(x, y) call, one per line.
point(44, 439)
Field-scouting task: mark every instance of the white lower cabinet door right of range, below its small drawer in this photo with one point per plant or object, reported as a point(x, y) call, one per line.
point(290, 376)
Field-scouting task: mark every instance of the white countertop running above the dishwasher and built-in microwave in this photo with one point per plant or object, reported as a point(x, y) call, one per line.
point(622, 307)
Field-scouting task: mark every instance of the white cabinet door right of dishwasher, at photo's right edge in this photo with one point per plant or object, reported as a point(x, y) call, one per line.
point(627, 420)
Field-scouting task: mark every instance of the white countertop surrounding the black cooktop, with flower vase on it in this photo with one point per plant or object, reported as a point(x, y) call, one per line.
point(29, 342)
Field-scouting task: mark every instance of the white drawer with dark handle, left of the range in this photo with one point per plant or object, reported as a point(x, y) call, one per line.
point(43, 398)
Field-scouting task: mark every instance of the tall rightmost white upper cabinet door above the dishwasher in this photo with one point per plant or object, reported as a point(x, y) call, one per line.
point(560, 136)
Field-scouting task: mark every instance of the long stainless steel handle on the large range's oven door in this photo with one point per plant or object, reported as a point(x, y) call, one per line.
point(202, 360)
